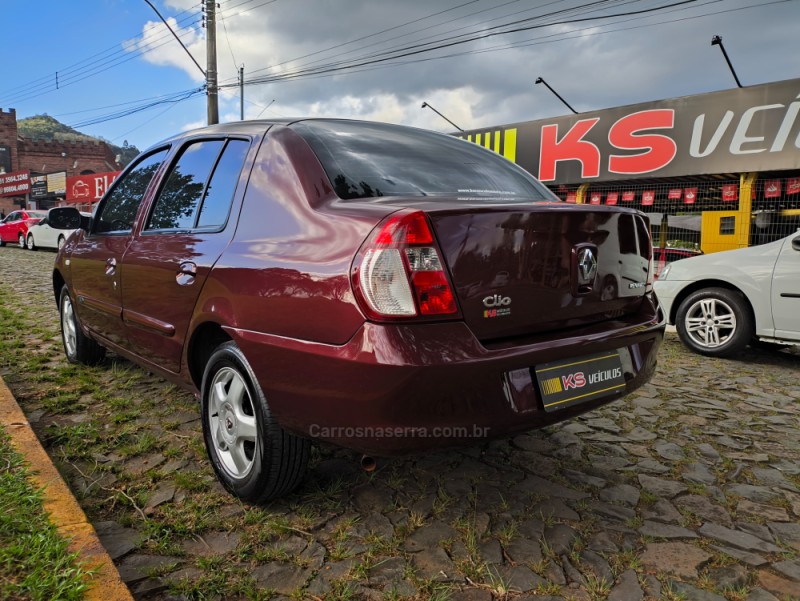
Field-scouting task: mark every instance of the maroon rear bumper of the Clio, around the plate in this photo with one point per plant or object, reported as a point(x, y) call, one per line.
point(396, 389)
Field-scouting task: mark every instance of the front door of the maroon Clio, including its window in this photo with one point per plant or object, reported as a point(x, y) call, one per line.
point(95, 258)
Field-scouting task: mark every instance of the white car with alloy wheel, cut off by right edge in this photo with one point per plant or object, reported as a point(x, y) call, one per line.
point(723, 301)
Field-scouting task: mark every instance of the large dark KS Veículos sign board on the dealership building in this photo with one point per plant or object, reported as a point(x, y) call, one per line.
point(745, 129)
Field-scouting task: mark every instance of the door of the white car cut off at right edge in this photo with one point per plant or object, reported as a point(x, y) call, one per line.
point(786, 290)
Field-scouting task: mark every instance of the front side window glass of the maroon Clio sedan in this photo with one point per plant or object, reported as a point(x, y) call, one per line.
point(119, 208)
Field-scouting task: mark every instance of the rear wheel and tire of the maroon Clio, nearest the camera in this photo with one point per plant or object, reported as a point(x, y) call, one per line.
point(253, 457)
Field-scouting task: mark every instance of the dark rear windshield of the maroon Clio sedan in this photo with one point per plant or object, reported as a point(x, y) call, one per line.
point(368, 160)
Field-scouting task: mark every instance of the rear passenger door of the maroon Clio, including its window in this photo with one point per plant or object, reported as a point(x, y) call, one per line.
point(185, 232)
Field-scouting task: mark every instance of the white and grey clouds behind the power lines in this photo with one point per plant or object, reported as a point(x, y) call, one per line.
point(480, 86)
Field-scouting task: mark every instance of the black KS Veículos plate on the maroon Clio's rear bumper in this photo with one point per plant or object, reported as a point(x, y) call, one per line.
point(577, 380)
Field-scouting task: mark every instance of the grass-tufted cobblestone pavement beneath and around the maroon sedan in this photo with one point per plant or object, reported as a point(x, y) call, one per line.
point(687, 489)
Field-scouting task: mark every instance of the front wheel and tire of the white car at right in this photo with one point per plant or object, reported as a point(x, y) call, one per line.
point(715, 322)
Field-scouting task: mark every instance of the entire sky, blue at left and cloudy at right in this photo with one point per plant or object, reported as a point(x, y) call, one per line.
point(111, 68)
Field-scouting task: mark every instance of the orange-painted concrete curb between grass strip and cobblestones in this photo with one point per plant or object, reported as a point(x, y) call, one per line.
point(65, 512)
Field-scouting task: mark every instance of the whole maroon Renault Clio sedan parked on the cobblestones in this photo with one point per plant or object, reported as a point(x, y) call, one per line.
point(384, 288)
